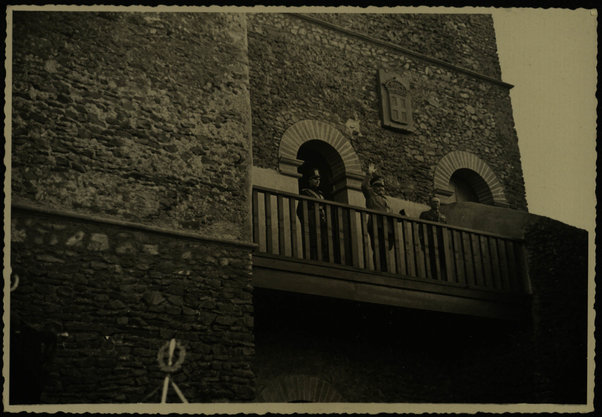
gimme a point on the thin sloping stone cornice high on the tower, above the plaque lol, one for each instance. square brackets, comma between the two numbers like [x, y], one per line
[403, 50]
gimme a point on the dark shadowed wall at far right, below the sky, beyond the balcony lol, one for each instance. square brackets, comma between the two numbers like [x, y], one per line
[559, 276]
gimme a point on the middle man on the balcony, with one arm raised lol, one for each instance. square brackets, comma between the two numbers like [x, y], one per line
[373, 188]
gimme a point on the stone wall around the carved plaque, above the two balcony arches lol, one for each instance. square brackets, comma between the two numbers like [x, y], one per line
[300, 70]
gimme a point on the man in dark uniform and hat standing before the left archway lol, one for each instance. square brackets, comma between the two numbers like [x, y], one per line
[311, 188]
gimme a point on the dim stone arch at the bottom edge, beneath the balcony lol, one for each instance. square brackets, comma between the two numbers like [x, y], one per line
[298, 388]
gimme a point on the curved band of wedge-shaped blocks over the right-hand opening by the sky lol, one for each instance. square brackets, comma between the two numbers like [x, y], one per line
[456, 160]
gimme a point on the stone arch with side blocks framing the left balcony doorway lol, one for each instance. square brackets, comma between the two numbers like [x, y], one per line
[306, 130]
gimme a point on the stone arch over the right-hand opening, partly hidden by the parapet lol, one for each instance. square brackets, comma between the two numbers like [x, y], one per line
[490, 190]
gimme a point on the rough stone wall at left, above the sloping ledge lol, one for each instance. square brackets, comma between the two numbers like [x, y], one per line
[144, 116]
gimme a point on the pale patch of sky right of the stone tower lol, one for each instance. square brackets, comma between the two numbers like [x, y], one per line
[549, 55]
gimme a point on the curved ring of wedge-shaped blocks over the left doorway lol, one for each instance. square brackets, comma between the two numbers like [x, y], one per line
[305, 130]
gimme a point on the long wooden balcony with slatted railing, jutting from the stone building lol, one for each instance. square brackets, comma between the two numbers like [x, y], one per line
[330, 249]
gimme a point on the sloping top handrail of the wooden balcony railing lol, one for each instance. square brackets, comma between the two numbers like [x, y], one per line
[381, 213]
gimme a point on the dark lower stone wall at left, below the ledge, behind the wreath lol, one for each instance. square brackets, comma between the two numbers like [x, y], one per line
[115, 295]
